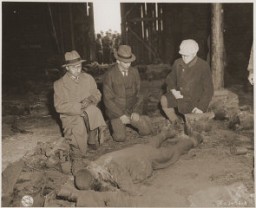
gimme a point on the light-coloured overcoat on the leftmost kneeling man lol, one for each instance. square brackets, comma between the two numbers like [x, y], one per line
[68, 94]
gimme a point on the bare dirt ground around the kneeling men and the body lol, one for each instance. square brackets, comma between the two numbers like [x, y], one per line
[208, 176]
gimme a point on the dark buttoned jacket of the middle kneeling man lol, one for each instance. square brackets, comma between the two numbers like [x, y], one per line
[121, 94]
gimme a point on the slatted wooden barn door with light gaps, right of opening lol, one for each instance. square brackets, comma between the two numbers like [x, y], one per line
[141, 28]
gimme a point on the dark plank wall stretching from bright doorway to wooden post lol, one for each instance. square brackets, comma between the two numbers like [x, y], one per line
[160, 27]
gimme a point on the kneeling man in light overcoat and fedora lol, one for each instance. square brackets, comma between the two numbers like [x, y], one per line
[76, 97]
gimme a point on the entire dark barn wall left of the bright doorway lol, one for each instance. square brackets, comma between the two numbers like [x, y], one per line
[36, 35]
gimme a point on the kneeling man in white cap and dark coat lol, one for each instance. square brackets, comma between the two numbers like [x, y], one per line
[189, 85]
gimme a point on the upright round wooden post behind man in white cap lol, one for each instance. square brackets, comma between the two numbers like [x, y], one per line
[217, 47]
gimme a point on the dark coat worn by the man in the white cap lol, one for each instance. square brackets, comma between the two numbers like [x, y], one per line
[194, 81]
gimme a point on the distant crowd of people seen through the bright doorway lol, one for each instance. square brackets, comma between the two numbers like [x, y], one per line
[106, 45]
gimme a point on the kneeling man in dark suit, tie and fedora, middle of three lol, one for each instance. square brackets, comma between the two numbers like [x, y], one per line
[121, 89]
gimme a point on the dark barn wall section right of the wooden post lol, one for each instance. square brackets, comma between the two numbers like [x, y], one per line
[238, 38]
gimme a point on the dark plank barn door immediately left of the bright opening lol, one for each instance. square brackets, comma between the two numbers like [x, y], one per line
[73, 23]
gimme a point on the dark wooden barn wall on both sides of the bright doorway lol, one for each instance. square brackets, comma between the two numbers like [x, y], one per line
[36, 35]
